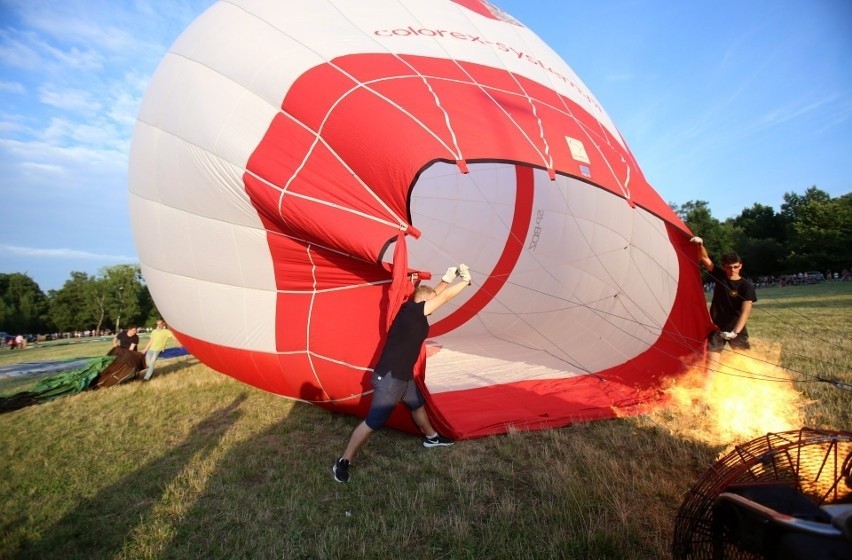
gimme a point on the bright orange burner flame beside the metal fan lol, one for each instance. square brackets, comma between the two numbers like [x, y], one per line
[741, 397]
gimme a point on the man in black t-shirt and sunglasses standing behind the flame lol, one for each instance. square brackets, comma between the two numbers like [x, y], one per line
[733, 298]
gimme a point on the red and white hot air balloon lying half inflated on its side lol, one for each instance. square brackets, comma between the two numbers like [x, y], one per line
[296, 165]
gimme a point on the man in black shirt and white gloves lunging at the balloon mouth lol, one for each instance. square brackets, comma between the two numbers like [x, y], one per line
[393, 376]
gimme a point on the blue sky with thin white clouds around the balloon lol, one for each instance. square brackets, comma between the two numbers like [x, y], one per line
[733, 102]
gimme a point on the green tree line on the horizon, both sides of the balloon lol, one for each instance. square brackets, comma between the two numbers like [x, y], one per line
[812, 231]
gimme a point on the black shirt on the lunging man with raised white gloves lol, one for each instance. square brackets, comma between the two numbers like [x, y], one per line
[407, 334]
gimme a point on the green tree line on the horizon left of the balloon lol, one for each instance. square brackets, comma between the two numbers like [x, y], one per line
[115, 296]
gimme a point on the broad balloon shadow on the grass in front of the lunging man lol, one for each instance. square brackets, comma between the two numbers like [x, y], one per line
[273, 496]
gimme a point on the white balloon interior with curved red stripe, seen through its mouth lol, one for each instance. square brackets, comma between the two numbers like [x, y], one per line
[552, 260]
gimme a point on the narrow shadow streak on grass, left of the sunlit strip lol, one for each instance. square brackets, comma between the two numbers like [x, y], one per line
[99, 526]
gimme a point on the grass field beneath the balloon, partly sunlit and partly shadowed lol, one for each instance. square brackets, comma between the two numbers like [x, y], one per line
[197, 465]
